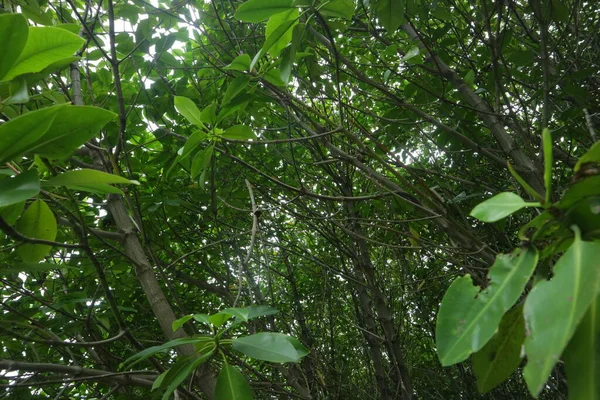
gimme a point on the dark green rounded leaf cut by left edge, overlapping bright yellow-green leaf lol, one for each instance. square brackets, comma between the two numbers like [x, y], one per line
[13, 36]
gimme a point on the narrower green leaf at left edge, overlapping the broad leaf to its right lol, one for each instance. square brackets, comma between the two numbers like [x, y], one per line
[20, 134]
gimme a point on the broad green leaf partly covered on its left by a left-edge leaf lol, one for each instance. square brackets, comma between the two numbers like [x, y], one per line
[72, 127]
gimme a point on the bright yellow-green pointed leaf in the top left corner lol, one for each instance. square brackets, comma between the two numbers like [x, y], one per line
[45, 46]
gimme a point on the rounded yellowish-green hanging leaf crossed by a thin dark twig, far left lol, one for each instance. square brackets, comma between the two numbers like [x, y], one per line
[37, 222]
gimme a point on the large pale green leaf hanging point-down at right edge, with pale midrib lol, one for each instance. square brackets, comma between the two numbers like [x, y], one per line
[553, 309]
